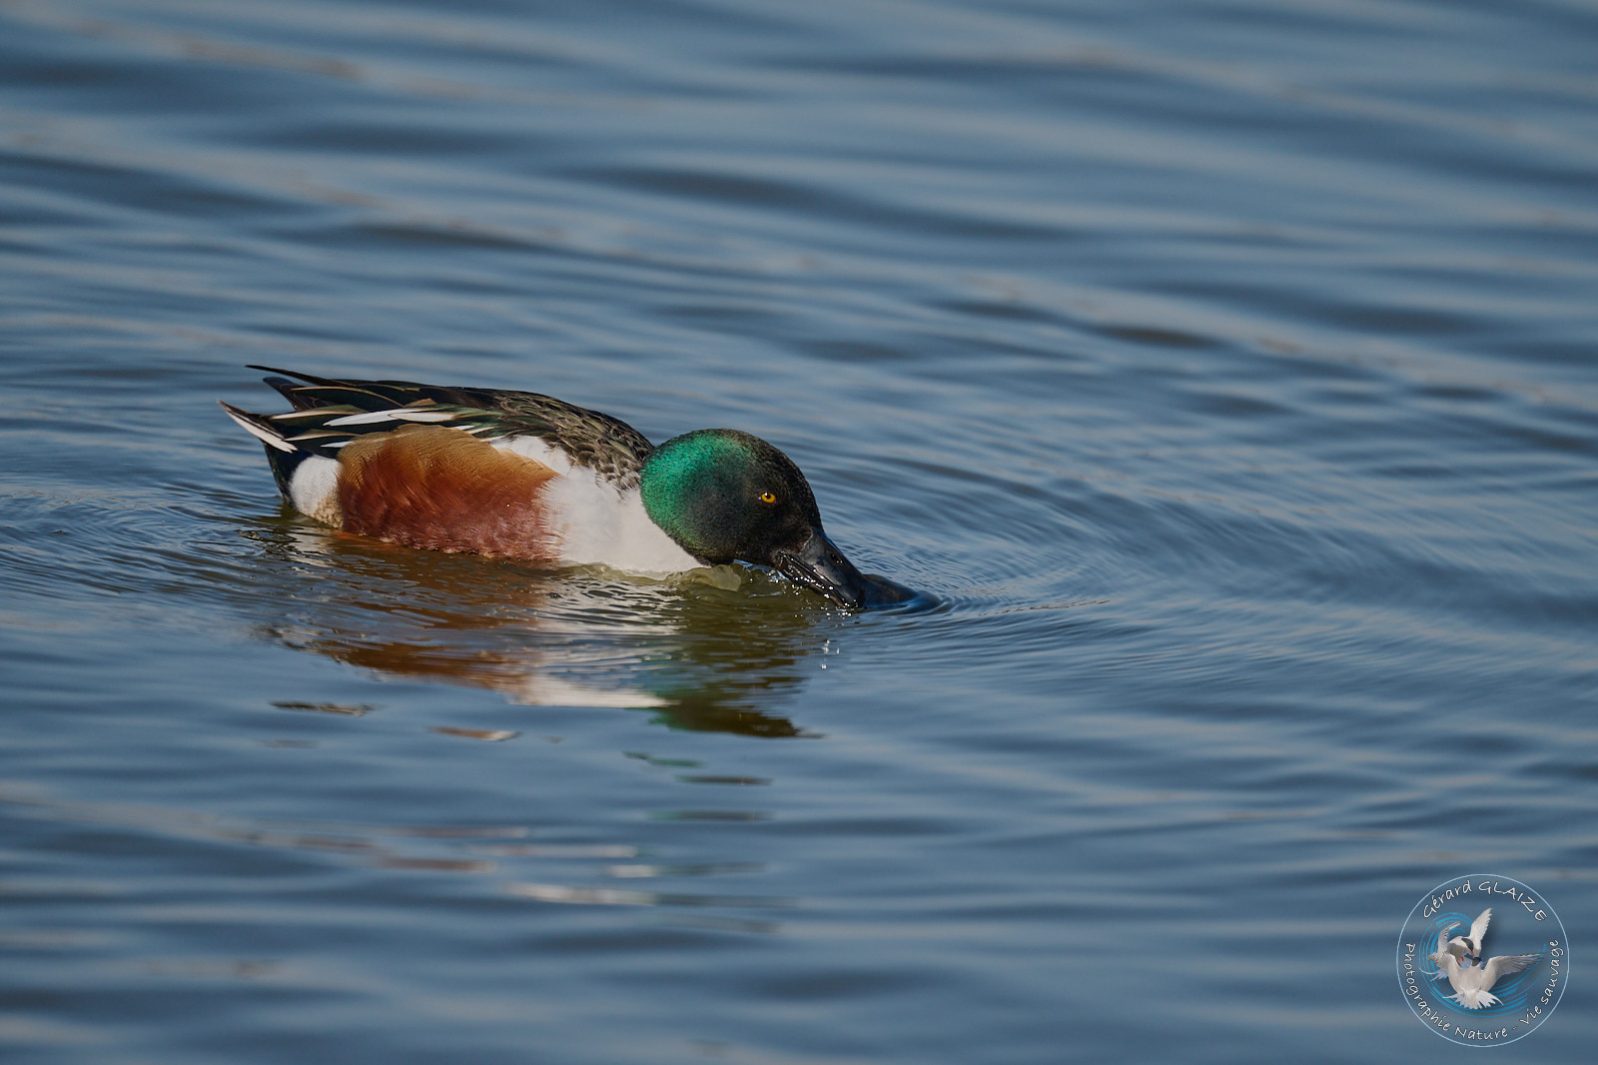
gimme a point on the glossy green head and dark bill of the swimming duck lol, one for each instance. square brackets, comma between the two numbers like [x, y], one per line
[728, 497]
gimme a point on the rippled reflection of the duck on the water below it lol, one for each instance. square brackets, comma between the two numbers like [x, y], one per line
[710, 652]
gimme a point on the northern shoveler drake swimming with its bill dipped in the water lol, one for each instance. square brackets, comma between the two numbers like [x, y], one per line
[525, 476]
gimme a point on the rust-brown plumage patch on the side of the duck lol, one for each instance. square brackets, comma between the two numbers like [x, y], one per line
[445, 490]
